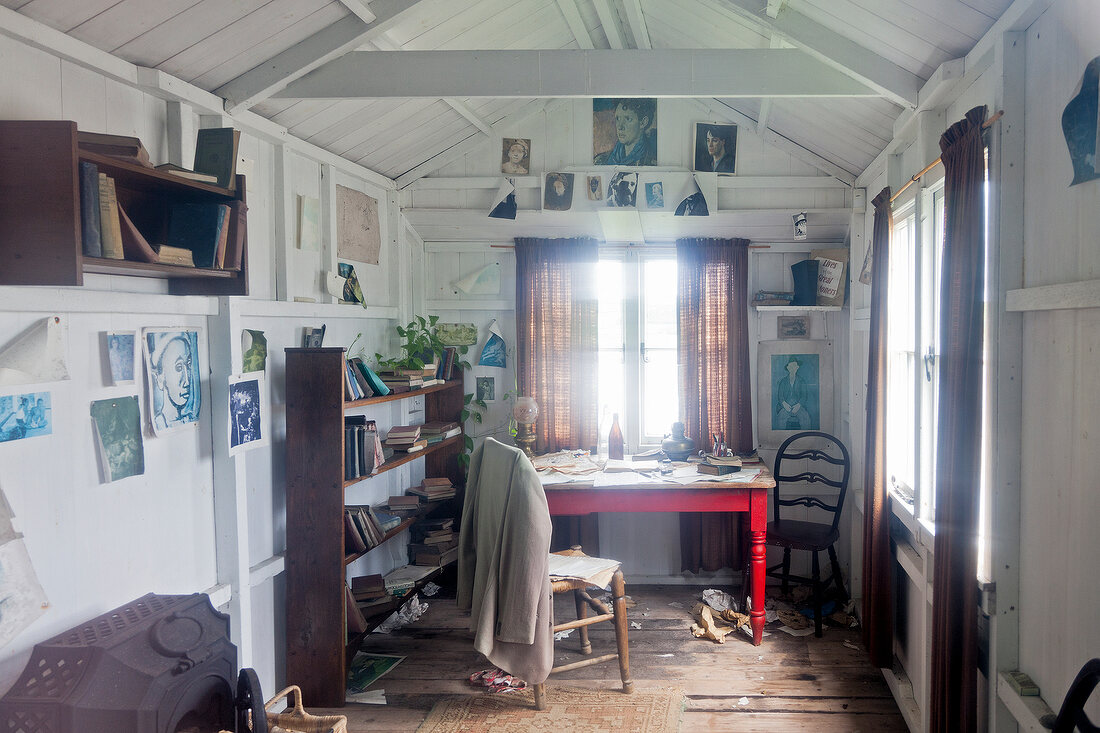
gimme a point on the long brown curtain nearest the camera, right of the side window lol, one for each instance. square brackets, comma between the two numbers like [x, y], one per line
[959, 435]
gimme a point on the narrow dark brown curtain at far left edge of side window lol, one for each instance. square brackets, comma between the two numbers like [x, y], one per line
[878, 565]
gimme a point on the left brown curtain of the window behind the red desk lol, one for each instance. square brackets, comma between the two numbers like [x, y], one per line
[556, 330]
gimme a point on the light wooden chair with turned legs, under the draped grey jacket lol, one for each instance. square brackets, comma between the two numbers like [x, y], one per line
[584, 601]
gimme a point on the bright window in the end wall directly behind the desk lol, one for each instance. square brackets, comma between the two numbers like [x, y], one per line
[639, 344]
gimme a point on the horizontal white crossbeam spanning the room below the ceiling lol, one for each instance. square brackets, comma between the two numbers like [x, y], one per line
[659, 73]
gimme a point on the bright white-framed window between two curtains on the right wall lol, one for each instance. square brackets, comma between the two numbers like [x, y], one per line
[914, 338]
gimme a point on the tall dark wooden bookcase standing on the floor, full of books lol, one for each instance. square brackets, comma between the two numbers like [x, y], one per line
[317, 561]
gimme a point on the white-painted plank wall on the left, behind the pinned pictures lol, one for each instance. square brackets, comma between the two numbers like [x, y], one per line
[197, 520]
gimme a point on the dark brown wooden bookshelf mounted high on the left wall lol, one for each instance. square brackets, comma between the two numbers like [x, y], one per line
[40, 204]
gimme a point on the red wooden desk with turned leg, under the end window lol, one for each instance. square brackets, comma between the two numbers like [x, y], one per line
[752, 498]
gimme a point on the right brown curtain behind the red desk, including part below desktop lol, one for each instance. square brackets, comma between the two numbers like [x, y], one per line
[714, 379]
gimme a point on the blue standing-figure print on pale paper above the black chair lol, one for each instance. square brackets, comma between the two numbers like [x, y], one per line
[795, 382]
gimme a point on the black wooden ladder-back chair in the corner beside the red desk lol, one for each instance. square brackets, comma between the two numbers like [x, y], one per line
[811, 537]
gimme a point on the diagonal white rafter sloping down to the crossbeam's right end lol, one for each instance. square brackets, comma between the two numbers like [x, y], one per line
[840, 52]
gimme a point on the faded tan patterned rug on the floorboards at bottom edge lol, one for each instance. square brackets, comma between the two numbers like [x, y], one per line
[568, 709]
